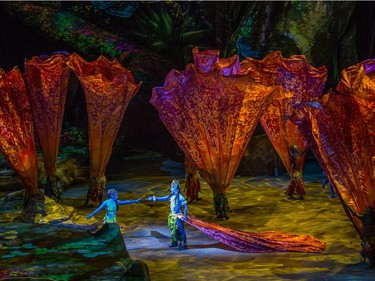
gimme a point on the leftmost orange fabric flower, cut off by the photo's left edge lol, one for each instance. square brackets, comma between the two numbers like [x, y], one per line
[17, 130]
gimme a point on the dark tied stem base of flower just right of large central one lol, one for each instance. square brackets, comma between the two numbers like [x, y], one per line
[296, 185]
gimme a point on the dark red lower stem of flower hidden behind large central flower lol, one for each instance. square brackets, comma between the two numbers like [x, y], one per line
[192, 181]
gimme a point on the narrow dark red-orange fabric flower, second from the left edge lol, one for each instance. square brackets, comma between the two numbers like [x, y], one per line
[47, 80]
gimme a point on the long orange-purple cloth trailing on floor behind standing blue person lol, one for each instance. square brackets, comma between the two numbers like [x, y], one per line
[252, 242]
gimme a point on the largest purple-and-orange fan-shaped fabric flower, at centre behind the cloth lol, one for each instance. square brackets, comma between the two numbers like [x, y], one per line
[211, 109]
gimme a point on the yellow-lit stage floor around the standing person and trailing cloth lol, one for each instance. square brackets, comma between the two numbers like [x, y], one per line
[258, 204]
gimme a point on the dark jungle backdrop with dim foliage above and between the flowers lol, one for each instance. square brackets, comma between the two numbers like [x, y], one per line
[152, 37]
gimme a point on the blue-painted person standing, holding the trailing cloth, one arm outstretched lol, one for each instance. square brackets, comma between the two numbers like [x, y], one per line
[175, 222]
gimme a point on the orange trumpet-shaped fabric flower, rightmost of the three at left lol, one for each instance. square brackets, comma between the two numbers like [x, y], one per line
[108, 88]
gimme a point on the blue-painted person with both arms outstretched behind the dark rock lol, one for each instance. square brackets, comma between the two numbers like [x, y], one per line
[111, 206]
